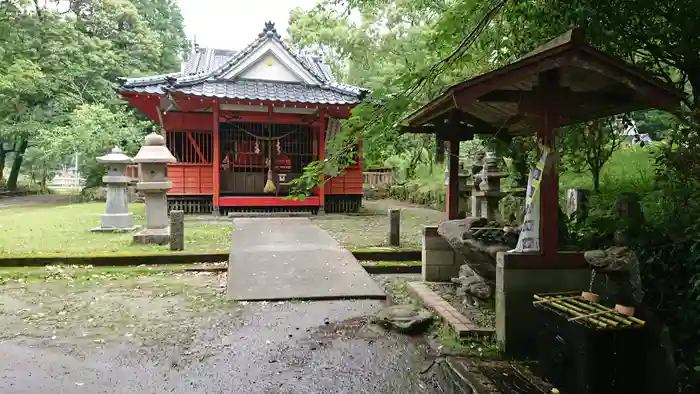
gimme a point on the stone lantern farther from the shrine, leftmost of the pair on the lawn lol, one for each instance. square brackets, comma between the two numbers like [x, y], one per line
[117, 217]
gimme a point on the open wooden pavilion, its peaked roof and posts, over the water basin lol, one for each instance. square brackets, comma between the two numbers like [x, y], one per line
[563, 82]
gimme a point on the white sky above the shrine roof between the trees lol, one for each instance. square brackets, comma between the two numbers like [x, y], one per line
[233, 24]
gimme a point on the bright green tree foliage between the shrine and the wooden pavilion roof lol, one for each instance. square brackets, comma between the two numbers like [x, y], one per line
[403, 51]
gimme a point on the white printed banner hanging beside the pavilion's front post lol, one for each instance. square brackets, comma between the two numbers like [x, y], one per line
[529, 239]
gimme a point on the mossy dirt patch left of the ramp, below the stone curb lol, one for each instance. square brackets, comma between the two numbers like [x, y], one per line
[124, 307]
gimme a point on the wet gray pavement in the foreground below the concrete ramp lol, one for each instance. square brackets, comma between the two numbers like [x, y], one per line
[291, 347]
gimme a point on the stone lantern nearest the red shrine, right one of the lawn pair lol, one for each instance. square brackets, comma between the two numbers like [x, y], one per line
[153, 159]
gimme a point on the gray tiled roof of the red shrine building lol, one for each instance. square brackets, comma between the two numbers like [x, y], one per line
[203, 70]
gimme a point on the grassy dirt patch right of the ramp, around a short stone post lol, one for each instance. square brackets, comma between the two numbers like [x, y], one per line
[371, 226]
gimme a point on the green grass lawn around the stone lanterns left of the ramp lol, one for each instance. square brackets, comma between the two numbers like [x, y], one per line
[66, 230]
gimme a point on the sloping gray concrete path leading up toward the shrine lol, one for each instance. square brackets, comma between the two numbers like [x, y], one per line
[293, 259]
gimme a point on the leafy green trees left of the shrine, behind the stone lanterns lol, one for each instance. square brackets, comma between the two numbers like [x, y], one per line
[62, 56]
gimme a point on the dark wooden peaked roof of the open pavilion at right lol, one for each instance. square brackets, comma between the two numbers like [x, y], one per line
[589, 84]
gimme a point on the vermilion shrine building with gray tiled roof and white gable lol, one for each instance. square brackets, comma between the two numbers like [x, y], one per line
[229, 115]
